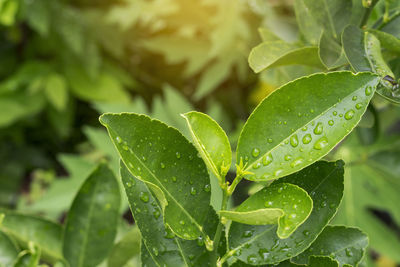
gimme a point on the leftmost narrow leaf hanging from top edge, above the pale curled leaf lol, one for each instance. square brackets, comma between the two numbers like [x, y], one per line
[307, 25]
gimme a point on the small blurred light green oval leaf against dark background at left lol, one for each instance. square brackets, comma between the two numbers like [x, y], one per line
[56, 91]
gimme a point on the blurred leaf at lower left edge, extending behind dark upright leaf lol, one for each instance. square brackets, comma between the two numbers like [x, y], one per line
[43, 233]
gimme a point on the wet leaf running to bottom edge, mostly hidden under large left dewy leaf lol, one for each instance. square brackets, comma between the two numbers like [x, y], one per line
[160, 242]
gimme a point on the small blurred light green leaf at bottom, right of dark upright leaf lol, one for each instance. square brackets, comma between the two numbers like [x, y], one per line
[127, 248]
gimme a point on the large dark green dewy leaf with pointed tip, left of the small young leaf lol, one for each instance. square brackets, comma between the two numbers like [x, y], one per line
[160, 156]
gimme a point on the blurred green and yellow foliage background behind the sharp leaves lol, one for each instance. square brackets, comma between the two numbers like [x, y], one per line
[65, 62]
